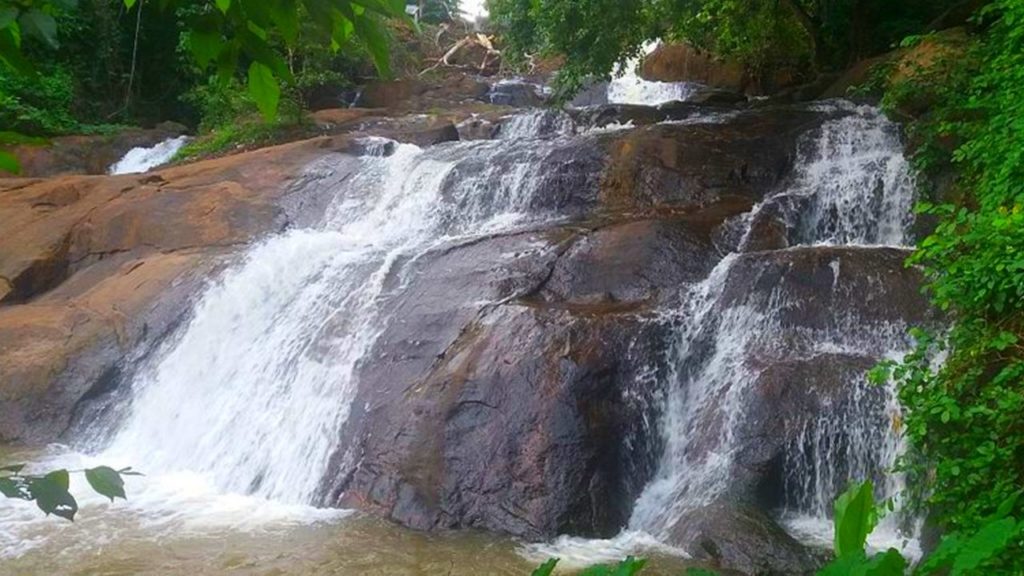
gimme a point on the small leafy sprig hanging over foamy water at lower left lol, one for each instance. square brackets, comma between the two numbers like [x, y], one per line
[52, 491]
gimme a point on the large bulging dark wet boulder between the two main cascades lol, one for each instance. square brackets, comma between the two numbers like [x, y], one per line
[460, 427]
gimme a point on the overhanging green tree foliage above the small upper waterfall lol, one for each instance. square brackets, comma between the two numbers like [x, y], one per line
[766, 36]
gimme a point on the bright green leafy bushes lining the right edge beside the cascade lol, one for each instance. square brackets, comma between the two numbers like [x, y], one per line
[963, 390]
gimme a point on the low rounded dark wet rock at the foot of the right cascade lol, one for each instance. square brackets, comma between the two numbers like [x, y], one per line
[743, 539]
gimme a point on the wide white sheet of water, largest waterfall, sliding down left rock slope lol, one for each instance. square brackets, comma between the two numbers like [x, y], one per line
[252, 394]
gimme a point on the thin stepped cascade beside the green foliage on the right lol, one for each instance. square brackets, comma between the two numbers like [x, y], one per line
[712, 381]
